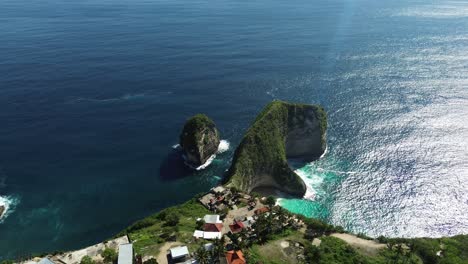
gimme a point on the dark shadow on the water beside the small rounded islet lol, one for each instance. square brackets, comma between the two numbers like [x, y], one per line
[173, 167]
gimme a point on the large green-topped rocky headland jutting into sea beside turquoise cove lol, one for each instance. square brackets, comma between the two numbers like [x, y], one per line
[281, 131]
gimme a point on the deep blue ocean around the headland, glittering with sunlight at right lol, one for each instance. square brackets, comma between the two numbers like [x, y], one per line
[94, 93]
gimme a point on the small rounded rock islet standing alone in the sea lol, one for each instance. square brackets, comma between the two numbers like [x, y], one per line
[199, 140]
